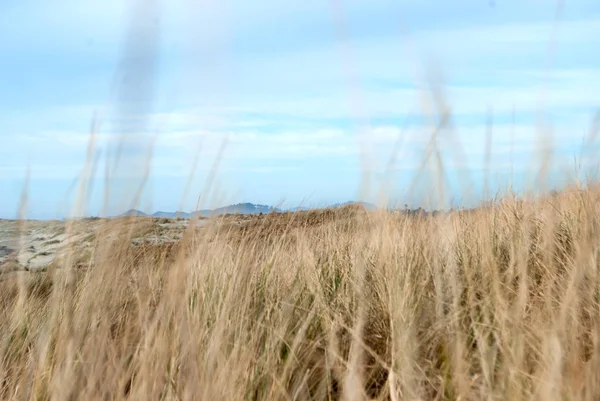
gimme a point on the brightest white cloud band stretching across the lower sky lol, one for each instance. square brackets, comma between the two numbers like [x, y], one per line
[174, 151]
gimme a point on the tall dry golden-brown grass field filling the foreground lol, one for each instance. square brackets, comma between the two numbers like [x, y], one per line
[497, 303]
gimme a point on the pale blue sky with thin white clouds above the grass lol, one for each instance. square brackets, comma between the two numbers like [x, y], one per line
[192, 104]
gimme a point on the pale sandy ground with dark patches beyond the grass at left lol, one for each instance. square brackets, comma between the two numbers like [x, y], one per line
[33, 245]
